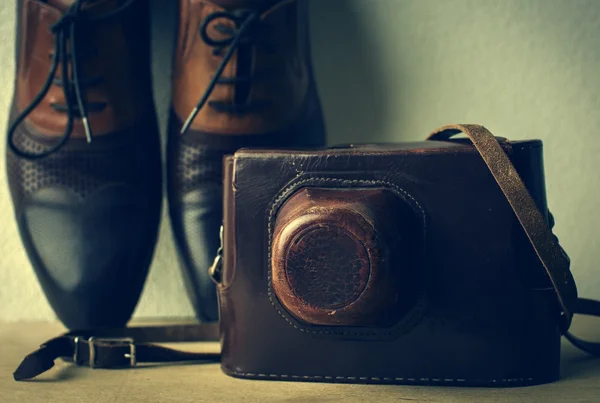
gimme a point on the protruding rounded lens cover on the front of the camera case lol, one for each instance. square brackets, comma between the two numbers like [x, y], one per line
[335, 258]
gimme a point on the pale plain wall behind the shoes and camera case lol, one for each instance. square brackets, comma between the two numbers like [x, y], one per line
[393, 70]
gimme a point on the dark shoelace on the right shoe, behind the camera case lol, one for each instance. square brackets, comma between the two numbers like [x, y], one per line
[247, 22]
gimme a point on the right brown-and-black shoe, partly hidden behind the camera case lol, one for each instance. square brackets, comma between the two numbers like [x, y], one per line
[242, 77]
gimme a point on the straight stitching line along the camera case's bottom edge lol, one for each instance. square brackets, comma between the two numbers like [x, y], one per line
[375, 378]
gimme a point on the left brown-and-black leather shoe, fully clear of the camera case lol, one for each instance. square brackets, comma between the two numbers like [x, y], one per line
[83, 155]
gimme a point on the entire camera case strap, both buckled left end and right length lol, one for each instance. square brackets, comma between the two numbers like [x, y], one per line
[126, 347]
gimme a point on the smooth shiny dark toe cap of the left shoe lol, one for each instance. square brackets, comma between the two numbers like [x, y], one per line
[91, 255]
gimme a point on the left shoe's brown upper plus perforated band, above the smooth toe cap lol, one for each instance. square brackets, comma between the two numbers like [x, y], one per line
[124, 152]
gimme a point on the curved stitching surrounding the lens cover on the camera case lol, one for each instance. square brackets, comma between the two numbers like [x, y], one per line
[397, 328]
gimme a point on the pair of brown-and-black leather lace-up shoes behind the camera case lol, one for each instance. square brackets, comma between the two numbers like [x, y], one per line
[84, 156]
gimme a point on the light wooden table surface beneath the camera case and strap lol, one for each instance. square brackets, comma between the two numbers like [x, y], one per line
[206, 383]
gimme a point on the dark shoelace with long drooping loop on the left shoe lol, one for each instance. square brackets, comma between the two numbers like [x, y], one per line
[65, 35]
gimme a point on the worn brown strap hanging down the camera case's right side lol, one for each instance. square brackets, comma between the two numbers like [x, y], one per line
[551, 254]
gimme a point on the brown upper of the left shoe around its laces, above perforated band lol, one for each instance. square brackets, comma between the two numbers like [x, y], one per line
[107, 53]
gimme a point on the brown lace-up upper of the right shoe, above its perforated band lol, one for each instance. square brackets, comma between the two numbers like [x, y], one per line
[279, 72]
